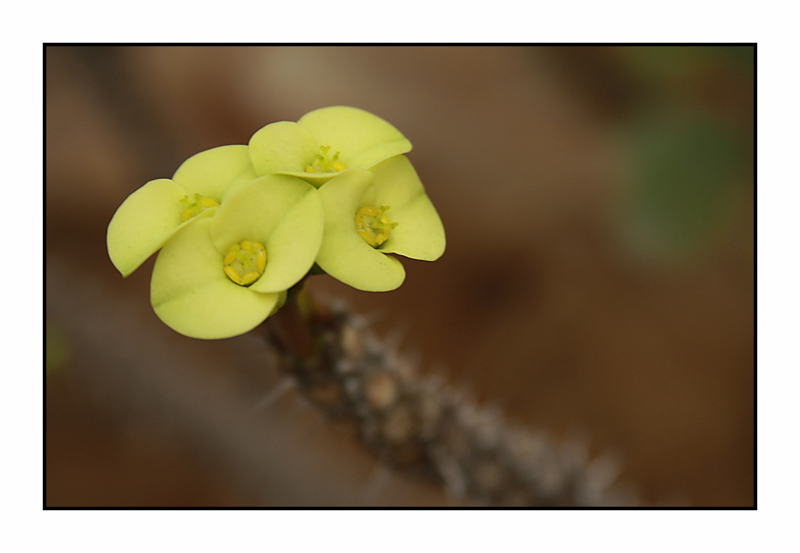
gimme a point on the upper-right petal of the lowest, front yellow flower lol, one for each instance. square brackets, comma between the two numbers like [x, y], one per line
[283, 213]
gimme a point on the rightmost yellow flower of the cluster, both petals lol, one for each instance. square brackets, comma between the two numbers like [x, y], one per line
[394, 186]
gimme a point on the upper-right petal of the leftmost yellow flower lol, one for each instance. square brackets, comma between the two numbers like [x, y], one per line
[216, 173]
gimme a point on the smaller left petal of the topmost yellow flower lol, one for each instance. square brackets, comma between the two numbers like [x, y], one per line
[282, 147]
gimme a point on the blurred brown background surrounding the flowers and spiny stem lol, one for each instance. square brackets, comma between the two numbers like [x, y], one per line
[598, 279]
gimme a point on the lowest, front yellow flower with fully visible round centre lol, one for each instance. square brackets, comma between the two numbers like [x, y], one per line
[191, 292]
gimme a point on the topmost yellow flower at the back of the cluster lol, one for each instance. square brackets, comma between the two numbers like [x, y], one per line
[324, 143]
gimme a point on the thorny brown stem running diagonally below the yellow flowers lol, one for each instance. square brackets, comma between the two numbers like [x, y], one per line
[419, 425]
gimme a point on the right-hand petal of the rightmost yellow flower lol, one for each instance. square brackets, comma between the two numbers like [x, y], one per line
[419, 233]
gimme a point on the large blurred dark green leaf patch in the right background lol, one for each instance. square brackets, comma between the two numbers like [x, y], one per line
[684, 174]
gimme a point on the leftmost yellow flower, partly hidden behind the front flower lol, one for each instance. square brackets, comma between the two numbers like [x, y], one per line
[155, 212]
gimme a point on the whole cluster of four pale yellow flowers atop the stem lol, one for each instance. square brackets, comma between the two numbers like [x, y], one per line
[238, 226]
